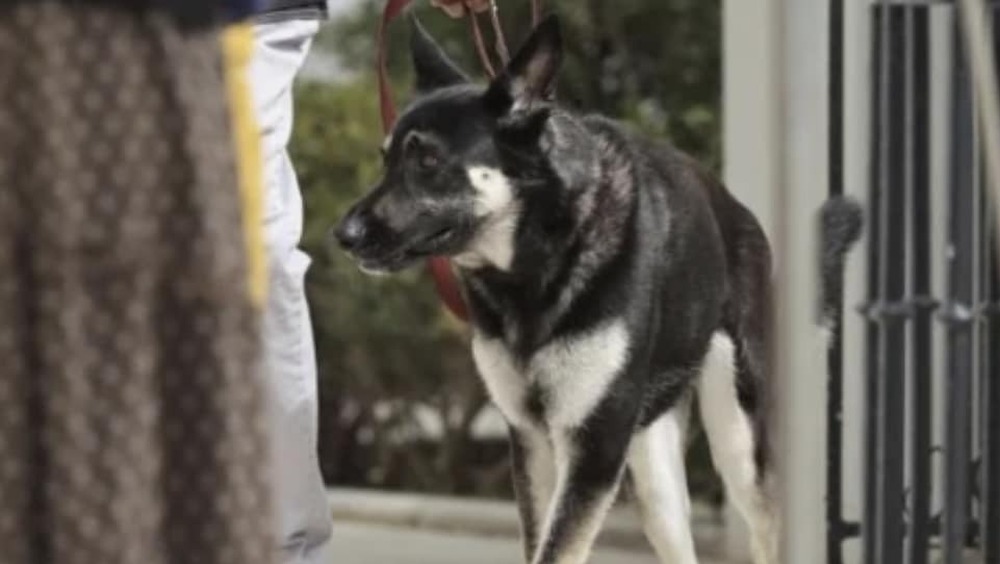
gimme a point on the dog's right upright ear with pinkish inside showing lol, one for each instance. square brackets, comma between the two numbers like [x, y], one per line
[531, 75]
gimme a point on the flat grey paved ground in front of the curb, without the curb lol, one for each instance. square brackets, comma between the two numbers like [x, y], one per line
[379, 544]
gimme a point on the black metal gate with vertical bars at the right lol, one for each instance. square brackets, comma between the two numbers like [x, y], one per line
[932, 355]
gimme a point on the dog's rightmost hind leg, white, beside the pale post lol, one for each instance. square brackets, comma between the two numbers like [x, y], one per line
[732, 443]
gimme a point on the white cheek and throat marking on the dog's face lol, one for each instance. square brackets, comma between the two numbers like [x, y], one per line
[496, 207]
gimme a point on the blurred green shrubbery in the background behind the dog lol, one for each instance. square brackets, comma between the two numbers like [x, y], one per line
[401, 405]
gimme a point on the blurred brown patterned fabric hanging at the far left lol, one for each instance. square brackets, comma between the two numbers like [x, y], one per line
[131, 426]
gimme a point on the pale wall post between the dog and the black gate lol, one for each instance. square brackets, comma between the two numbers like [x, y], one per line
[776, 160]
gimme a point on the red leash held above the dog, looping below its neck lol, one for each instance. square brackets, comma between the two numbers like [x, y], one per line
[440, 268]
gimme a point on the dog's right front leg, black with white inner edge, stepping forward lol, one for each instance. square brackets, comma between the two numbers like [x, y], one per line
[588, 473]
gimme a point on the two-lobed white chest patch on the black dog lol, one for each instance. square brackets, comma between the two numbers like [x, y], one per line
[573, 374]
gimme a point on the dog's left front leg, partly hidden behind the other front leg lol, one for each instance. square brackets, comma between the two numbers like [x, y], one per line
[533, 468]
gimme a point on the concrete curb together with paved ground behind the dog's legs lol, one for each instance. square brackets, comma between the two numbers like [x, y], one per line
[376, 527]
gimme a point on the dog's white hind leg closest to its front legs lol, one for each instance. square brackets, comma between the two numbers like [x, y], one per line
[656, 463]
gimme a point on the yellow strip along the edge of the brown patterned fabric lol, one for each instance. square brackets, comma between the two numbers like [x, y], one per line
[237, 43]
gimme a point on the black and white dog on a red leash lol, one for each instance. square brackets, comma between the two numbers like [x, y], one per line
[611, 281]
